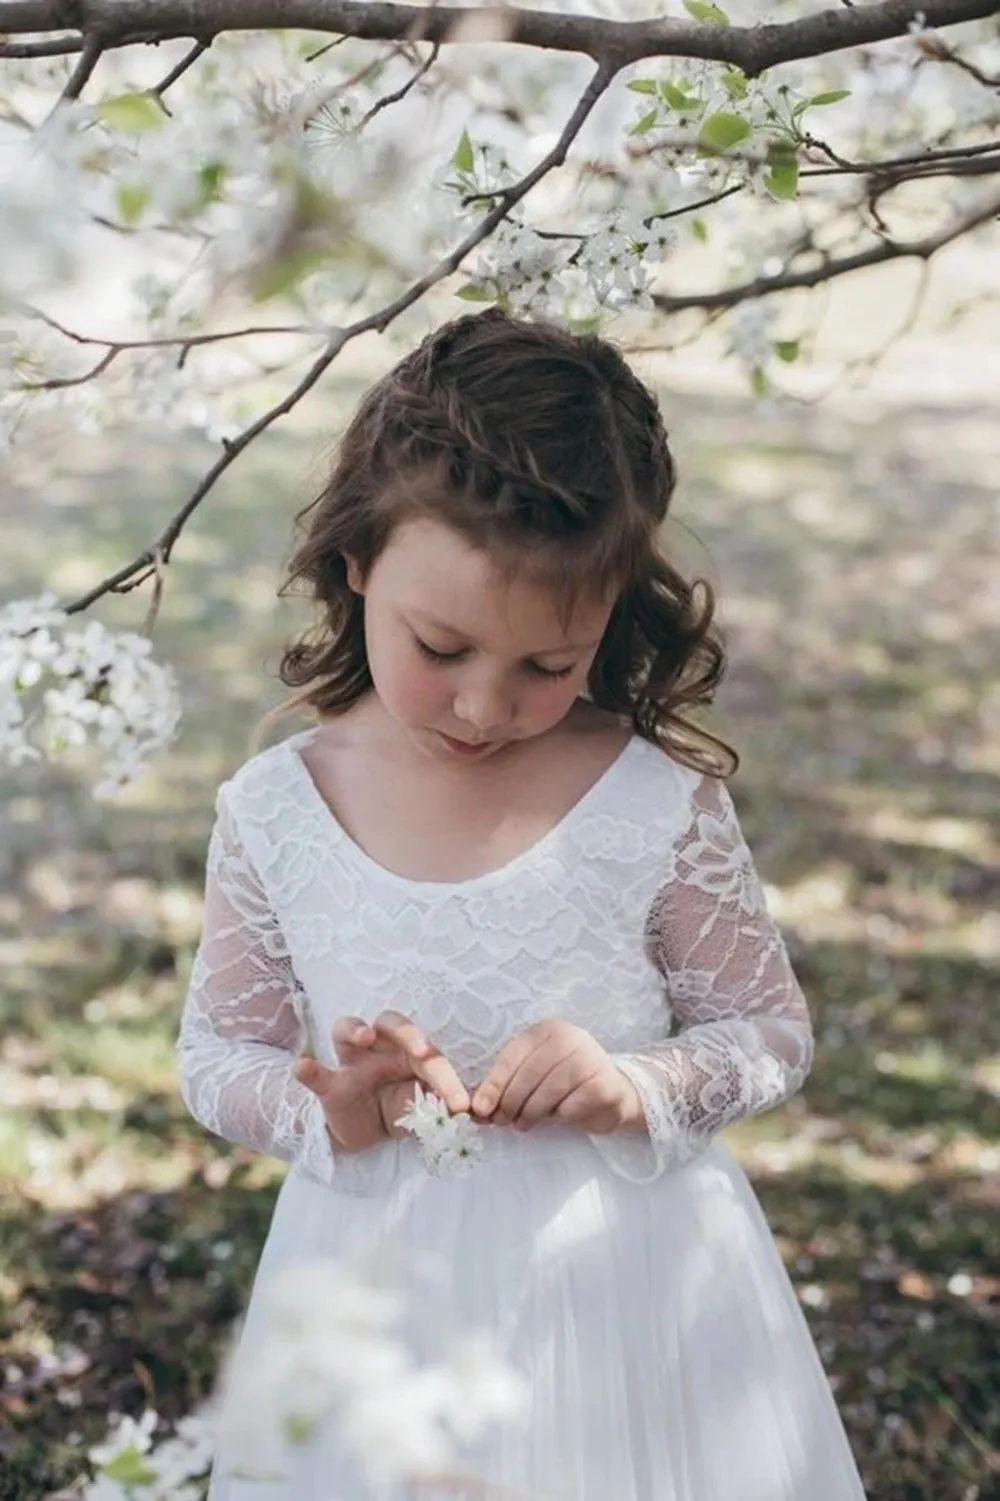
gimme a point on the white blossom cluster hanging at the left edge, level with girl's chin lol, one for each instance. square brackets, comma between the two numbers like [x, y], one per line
[65, 685]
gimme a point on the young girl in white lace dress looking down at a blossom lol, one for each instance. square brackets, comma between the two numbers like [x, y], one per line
[501, 867]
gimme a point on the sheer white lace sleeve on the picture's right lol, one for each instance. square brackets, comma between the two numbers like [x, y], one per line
[745, 1042]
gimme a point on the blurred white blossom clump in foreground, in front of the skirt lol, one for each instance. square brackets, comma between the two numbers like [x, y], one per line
[334, 1364]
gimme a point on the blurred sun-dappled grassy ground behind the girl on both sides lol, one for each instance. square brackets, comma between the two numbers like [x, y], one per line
[854, 559]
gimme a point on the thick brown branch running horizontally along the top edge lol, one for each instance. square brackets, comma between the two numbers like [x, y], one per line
[615, 43]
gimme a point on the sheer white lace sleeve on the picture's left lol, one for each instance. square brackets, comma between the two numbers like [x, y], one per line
[244, 1020]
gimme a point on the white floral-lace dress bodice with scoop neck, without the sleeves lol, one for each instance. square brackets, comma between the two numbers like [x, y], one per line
[558, 931]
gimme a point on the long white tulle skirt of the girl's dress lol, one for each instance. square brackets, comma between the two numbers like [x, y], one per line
[661, 1340]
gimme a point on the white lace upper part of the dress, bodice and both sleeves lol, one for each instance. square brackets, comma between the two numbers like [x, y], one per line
[640, 907]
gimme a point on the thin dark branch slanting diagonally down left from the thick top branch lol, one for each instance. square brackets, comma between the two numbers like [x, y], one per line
[376, 322]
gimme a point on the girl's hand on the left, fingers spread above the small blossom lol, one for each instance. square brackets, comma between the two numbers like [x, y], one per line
[379, 1066]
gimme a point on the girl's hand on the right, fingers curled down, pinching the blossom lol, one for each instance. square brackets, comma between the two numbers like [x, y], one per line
[556, 1069]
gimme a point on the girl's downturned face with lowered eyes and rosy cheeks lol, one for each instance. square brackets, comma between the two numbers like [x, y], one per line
[462, 661]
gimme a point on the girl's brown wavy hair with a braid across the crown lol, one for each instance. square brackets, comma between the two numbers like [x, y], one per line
[543, 450]
